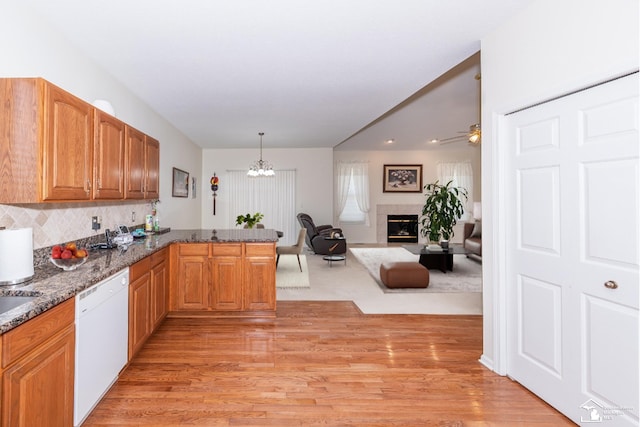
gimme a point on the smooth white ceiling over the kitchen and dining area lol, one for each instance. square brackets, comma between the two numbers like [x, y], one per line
[307, 74]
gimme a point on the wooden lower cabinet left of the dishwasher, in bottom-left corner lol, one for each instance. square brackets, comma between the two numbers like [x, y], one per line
[38, 363]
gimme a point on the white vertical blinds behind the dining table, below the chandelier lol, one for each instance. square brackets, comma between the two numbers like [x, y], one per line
[274, 197]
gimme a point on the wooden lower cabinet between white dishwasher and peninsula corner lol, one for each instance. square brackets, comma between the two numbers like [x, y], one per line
[148, 292]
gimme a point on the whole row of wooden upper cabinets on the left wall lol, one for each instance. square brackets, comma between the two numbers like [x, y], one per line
[57, 147]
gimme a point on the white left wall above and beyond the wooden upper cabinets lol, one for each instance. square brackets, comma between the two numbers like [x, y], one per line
[30, 48]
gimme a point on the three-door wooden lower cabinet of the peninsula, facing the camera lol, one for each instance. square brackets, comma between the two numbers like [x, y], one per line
[223, 278]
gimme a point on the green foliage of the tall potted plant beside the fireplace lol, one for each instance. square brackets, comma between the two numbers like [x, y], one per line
[442, 209]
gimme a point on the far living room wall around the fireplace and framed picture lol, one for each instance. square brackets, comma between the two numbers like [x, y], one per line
[427, 158]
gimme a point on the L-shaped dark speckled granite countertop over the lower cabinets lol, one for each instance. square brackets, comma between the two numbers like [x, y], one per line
[52, 285]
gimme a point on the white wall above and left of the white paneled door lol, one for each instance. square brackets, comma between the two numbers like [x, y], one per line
[551, 48]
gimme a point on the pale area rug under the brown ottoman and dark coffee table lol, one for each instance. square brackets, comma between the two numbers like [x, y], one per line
[465, 277]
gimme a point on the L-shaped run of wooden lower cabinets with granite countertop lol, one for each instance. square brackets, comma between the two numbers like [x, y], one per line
[180, 273]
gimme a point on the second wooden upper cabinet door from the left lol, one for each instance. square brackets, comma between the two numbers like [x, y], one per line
[108, 157]
